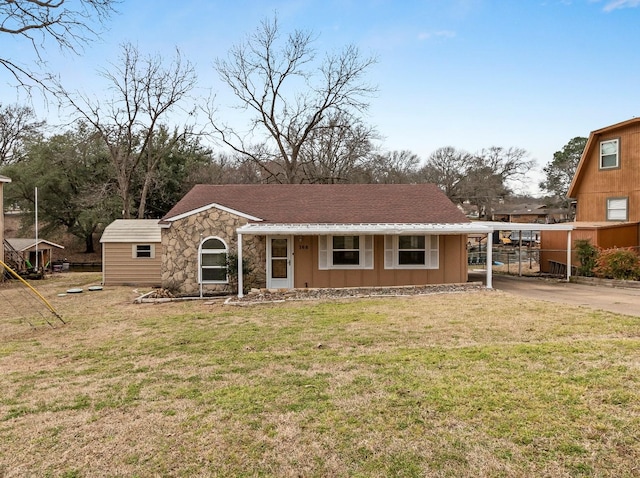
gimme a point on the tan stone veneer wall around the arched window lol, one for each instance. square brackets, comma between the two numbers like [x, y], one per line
[181, 241]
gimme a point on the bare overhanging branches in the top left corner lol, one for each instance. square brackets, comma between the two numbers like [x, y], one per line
[69, 24]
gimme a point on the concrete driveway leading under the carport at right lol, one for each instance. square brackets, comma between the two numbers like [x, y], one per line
[612, 299]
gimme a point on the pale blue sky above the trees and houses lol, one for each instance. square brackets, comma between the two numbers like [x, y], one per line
[464, 73]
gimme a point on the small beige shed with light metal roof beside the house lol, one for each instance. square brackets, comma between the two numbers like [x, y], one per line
[132, 253]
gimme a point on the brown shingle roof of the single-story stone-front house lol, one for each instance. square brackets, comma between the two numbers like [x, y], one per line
[327, 203]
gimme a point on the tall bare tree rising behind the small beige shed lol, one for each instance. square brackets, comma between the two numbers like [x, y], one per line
[145, 91]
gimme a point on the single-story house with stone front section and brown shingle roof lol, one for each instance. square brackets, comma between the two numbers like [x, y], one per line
[314, 236]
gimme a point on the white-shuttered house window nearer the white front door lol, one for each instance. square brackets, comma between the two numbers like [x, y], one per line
[345, 252]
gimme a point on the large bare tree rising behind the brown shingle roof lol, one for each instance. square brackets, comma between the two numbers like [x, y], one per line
[290, 96]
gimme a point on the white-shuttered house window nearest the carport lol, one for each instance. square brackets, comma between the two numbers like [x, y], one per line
[411, 252]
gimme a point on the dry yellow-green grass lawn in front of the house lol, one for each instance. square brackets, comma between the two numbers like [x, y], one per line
[474, 384]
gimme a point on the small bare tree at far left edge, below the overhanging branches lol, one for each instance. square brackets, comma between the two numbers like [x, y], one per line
[17, 124]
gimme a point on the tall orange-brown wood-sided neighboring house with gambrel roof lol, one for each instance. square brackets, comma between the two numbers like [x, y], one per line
[606, 188]
